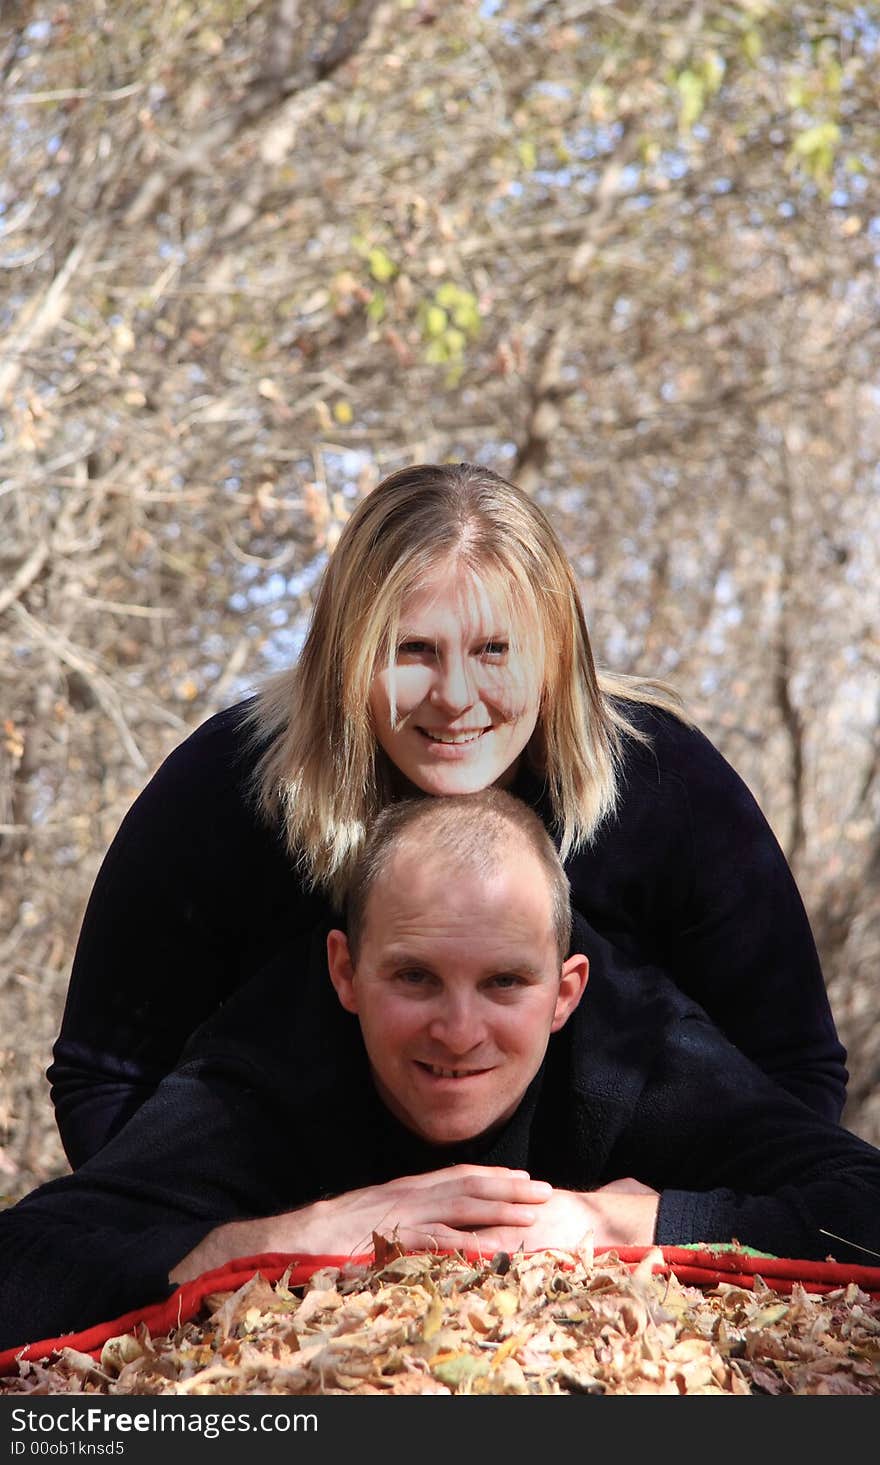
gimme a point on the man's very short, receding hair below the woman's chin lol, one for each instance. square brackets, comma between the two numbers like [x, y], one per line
[463, 830]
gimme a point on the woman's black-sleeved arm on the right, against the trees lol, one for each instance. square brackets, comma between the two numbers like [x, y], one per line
[689, 875]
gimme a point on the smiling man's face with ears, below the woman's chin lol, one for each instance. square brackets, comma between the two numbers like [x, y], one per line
[458, 988]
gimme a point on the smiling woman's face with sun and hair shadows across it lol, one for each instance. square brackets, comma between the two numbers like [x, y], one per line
[466, 702]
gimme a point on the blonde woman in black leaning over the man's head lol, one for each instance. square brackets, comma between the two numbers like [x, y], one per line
[447, 653]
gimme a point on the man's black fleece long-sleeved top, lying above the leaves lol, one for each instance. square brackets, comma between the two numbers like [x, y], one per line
[273, 1107]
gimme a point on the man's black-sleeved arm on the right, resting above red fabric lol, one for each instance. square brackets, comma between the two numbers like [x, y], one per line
[737, 1158]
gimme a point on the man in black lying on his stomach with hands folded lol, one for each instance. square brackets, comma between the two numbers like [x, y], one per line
[449, 1085]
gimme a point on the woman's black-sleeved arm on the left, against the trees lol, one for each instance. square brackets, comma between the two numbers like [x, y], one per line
[193, 899]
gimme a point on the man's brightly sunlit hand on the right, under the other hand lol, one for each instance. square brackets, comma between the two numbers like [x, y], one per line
[623, 1214]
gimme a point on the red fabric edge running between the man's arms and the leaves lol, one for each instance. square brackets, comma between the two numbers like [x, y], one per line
[695, 1268]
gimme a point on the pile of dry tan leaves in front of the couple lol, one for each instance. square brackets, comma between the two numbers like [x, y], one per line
[542, 1325]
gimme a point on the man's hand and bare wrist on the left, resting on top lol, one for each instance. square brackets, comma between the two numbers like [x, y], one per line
[463, 1208]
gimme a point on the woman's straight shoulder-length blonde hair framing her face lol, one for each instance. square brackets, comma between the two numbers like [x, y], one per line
[321, 771]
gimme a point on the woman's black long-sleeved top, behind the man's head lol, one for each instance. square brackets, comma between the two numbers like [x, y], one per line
[197, 894]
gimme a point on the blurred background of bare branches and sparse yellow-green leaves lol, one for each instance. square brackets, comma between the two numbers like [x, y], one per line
[257, 254]
